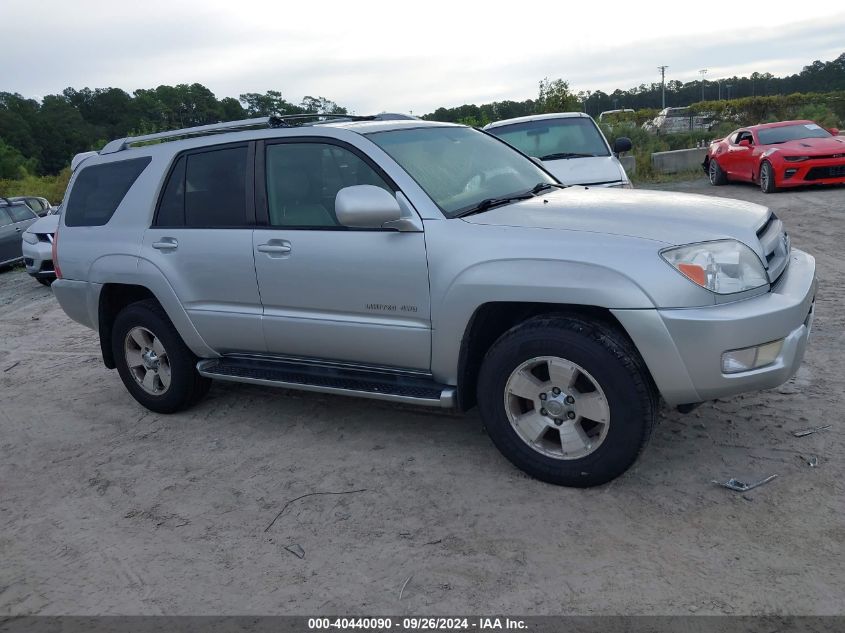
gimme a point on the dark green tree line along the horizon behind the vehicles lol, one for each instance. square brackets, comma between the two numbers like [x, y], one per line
[40, 137]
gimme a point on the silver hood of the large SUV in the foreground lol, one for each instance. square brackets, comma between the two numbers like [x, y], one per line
[672, 218]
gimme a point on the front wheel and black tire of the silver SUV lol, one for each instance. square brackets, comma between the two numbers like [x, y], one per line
[600, 365]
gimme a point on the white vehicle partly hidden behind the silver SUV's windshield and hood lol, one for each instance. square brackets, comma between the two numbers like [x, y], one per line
[570, 145]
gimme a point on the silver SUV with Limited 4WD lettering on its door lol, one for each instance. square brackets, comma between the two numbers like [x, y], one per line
[427, 263]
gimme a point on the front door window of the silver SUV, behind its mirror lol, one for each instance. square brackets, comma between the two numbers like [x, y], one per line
[303, 180]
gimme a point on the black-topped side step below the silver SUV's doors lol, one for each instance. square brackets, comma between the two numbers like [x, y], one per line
[325, 377]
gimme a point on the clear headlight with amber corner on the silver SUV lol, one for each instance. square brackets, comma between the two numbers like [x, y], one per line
[723, 267]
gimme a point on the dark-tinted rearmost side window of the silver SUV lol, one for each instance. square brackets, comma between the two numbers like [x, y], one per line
[99, 190]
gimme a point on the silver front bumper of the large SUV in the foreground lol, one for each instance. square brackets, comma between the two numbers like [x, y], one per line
[683, 347]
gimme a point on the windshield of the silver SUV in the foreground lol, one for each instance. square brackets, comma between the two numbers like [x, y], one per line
[459, 167]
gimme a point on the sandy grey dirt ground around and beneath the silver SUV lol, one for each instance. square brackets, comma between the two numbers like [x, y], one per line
[106, 508]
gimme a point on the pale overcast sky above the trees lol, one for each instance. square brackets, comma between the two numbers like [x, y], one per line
[374, 56]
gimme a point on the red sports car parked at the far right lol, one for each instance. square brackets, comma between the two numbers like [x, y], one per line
[774, 155]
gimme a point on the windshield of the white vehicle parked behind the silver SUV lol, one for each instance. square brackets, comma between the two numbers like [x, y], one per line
[549, 139]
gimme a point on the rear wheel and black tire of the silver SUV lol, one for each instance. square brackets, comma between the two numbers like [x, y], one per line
[170, 380]
